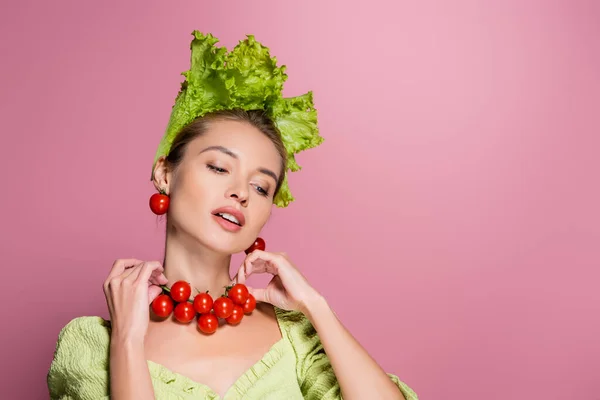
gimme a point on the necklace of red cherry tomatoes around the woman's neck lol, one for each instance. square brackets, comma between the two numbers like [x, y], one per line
[231, 306]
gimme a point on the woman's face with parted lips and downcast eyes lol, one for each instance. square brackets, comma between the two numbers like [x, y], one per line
[221, 195]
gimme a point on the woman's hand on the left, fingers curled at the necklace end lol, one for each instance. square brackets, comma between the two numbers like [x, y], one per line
[129, 289]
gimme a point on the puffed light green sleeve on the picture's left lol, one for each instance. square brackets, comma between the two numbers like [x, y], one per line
[81, 357]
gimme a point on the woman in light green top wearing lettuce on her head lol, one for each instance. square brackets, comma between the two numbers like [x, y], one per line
[220, 168]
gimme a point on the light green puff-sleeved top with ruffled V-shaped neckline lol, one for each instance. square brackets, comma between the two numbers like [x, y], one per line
[296, 367]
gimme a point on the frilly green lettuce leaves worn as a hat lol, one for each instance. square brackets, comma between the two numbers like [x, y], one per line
[247, 78]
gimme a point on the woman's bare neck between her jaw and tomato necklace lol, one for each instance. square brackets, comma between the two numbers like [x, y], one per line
[202, 268]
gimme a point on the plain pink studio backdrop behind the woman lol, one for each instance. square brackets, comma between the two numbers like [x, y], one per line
[451, 216]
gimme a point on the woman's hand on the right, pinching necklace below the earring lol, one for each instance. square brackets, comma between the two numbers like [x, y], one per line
[288, 289]
